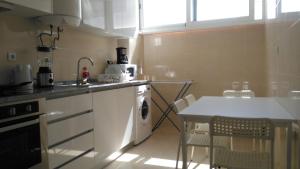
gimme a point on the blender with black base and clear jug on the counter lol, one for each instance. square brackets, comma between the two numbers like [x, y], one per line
[45, 76]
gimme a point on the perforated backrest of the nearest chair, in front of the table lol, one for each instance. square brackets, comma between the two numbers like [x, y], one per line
[239, 127]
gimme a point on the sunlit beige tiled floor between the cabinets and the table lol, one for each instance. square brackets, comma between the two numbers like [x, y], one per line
[158, 152]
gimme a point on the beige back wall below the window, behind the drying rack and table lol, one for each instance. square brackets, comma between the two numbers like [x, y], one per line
[212, 58]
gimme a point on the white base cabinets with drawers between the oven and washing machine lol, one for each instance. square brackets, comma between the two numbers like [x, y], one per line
[89, 130]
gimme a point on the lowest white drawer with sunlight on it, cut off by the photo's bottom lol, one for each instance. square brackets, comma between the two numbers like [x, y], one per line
[84, 162]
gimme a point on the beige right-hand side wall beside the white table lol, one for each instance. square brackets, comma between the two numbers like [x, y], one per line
[283, 58]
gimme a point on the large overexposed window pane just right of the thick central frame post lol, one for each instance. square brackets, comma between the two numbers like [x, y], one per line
[221, 9]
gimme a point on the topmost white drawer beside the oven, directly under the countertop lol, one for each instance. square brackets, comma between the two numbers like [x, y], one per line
[67, 106]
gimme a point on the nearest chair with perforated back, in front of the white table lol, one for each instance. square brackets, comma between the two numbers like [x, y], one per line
[261, 129]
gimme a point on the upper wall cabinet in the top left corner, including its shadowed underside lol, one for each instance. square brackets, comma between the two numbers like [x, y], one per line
[28, 8]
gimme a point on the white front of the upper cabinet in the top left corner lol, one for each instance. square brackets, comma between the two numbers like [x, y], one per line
[39, 5]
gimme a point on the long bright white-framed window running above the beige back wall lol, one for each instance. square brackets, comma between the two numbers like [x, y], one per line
[176, 15]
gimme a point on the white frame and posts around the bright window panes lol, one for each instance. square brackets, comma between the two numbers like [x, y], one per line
[192, 23]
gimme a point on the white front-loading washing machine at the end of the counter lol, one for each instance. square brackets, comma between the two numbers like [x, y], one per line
[143, 128]
